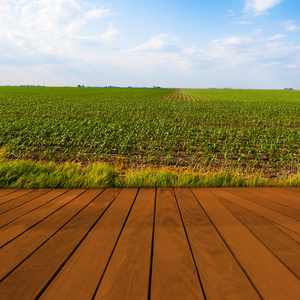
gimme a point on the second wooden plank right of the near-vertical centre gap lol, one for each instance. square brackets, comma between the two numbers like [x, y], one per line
[215, 263]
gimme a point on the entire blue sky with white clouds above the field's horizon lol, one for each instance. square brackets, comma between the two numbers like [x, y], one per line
[184, 44]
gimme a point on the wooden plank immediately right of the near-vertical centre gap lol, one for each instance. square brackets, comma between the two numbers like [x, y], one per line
[174, 275]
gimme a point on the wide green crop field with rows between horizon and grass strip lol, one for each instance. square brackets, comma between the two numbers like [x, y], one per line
[253, 130]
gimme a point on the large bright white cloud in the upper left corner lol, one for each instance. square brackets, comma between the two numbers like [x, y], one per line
[52, 27]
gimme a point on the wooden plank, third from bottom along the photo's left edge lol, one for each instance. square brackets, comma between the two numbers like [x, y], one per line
[19, 226]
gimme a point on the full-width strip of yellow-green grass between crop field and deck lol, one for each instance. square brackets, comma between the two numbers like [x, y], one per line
[31, 174]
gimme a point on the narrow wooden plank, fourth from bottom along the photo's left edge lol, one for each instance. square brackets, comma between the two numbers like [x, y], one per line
[29, 206]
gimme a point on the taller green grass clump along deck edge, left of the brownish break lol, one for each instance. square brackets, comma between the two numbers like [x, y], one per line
[50, 175]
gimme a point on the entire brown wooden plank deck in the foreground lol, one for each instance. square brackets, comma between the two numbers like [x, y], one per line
[229, 243]
